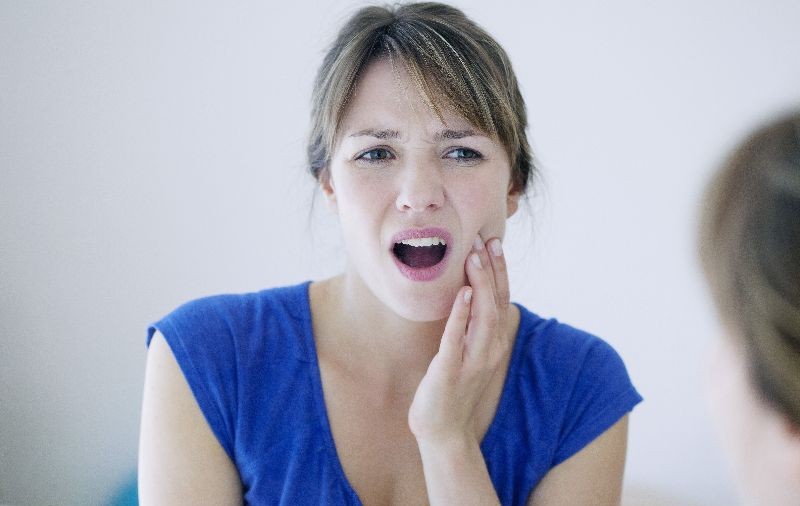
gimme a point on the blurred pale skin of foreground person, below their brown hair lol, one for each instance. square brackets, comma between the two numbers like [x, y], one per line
[763, 447]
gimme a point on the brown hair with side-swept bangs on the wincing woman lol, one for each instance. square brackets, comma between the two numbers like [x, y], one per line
[449, 58]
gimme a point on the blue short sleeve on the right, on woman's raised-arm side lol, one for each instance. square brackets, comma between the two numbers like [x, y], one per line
[602, 394]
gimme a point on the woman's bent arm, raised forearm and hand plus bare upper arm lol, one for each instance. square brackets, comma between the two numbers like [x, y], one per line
[445, 403]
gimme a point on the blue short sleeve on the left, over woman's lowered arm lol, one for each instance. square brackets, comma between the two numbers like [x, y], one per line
[200, 337]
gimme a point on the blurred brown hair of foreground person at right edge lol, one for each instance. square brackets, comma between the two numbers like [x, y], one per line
[750, 251]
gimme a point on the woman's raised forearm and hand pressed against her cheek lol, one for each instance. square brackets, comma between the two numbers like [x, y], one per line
[442, 414]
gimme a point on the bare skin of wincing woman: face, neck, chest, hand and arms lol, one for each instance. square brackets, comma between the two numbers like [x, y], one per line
[412, 371]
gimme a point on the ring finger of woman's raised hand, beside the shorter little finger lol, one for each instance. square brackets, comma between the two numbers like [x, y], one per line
[482, 326]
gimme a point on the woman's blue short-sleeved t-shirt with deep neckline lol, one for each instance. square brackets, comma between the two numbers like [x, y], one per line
[251, 362]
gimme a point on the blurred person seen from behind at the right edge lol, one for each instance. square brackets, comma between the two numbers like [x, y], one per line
[750, 250]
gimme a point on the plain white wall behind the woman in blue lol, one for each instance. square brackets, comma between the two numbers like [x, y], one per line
[152, 152]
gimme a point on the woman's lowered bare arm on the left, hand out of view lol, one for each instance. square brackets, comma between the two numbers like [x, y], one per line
[180, 459]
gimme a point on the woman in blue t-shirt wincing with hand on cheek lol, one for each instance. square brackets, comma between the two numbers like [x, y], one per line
[409, 378]
